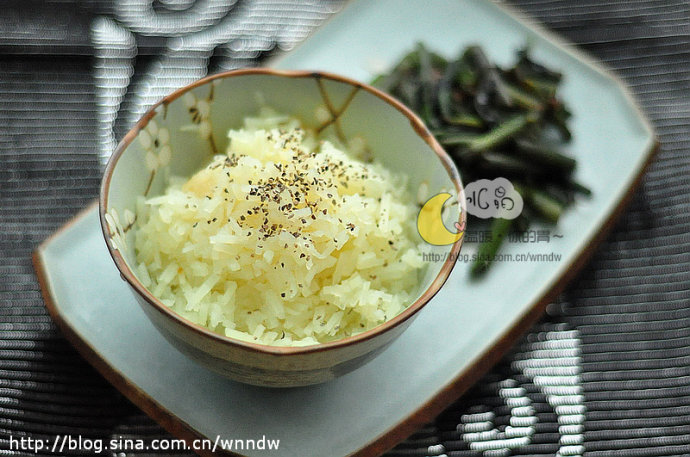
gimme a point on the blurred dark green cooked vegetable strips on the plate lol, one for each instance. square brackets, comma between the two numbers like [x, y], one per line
[494, 122]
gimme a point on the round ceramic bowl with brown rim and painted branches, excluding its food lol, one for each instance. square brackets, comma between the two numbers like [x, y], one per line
[162, 144]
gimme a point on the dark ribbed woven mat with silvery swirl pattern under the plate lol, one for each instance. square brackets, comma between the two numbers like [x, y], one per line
[606, 373]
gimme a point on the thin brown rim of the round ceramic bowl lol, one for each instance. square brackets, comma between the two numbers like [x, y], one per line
[416, 123]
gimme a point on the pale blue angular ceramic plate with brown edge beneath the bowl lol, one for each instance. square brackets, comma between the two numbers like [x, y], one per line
[456, 337]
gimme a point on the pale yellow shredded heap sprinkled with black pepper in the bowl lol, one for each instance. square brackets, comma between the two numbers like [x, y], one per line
[286, 240]
